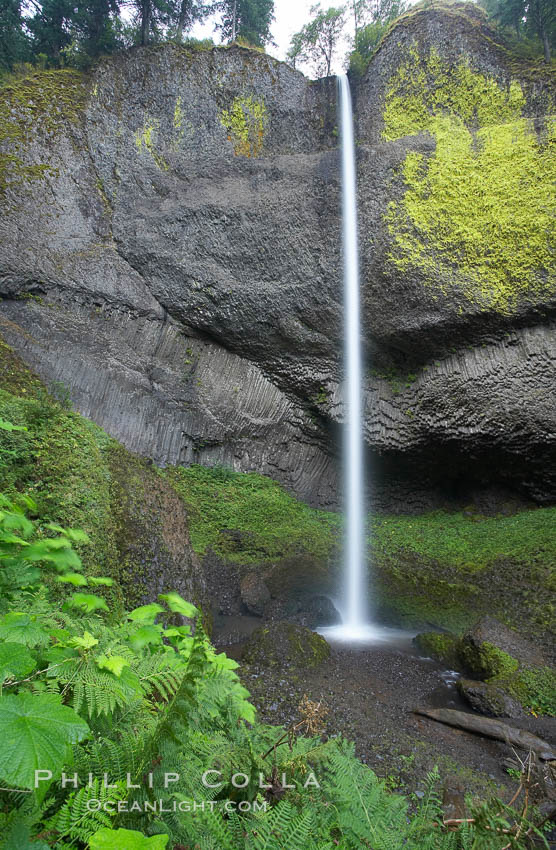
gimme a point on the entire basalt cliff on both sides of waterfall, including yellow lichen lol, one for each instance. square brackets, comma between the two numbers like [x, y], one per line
[171, 253]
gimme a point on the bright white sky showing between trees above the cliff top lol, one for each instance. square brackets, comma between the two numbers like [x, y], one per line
[289, 17]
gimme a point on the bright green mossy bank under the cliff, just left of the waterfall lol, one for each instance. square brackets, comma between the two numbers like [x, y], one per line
[275, 523]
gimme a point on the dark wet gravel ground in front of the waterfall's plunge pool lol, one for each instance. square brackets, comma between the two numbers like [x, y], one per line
[370, 693]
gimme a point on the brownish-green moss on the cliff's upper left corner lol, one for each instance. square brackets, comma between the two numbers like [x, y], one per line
[40, 102]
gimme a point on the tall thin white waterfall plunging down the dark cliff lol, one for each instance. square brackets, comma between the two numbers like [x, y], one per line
[353, 462]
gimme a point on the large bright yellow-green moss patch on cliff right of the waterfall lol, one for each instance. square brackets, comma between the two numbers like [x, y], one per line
[478, 214]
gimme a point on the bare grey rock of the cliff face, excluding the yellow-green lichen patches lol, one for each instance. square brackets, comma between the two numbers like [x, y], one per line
[192, 295]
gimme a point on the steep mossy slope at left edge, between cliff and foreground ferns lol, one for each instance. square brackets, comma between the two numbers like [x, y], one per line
[79, 477]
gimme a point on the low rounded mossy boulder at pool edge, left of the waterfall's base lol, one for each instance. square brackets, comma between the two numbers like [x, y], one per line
[285, 645]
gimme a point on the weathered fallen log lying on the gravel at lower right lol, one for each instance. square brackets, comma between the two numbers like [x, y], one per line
[490, 728]
